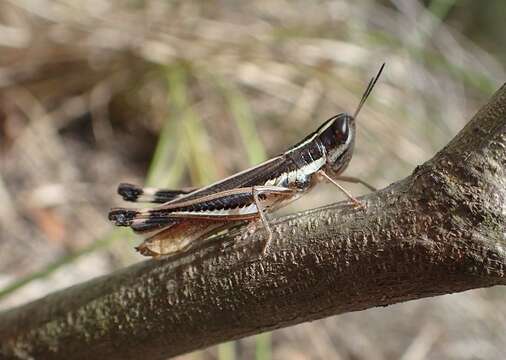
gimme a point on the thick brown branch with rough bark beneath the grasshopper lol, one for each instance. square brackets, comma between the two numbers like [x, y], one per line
[441, 230]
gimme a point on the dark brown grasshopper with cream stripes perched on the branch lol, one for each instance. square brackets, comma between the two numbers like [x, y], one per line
[184, 216]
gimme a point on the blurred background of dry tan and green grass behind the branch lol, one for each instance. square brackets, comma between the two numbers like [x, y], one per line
[181, 93]
